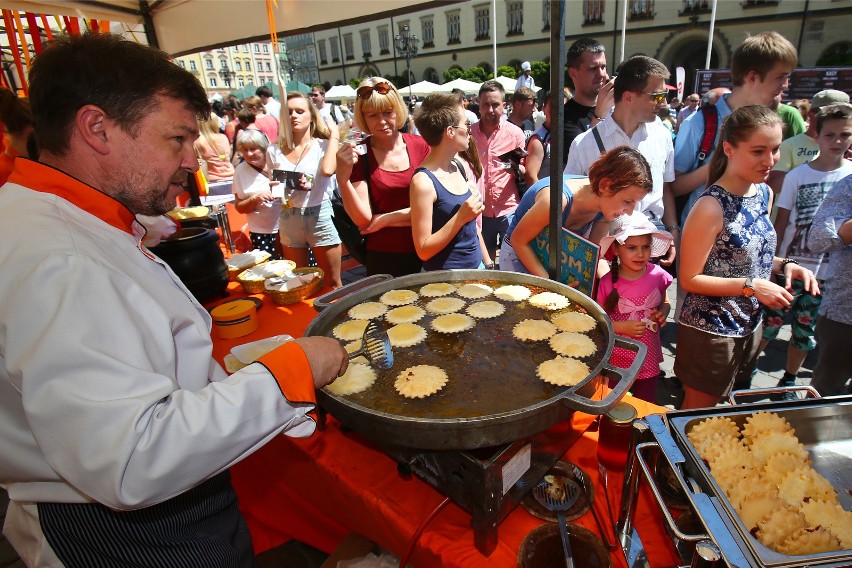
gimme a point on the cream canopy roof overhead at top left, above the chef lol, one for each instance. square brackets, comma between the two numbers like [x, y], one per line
[188, 26]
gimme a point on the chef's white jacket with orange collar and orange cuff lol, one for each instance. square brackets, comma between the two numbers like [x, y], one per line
[108, 391]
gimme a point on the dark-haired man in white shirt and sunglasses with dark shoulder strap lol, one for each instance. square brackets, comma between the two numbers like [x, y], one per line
[640, 90]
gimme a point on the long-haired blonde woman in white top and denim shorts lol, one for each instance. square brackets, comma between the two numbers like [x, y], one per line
[306, 222]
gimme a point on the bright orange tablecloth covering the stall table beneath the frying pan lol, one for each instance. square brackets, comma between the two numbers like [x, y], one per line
[319, 489]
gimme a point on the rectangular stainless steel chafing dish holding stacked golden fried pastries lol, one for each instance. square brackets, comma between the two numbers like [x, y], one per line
[823, 426]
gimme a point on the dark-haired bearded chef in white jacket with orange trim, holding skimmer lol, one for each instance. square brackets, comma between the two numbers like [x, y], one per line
[117, 427]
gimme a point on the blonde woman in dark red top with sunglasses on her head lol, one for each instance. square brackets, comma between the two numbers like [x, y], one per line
[374, 186]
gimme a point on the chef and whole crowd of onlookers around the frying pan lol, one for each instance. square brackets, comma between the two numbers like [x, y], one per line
[471, 191]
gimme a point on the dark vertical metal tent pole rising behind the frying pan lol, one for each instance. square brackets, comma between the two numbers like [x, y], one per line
[557, 136]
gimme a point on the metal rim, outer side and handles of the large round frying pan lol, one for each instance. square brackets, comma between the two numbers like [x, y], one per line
[485, 429]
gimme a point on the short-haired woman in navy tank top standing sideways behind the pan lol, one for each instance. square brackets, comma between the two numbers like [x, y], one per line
[444, 205]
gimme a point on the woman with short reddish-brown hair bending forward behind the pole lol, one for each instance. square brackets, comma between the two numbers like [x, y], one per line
[617, 181]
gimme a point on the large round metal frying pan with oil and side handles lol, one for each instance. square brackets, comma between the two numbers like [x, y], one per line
[472, 427]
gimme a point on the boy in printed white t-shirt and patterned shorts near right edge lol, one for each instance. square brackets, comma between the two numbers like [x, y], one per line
[804, 189]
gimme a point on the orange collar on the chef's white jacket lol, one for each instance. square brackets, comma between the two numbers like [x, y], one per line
[43, 178]
